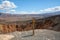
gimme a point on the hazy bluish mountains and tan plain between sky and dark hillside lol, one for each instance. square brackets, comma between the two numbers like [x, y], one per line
[5, 17]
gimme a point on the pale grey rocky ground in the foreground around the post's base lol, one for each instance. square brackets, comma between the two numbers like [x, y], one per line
[41, 34]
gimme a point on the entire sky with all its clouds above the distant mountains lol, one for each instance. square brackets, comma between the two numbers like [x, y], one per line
[29, 6]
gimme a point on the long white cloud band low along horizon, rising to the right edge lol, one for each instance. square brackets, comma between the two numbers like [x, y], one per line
[48, 10]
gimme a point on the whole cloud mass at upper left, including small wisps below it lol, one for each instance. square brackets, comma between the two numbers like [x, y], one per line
[7, 6]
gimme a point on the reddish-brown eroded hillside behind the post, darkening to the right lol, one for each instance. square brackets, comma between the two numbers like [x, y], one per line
[51, 23]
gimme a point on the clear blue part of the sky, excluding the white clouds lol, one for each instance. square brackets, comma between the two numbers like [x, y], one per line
[35, 6]
